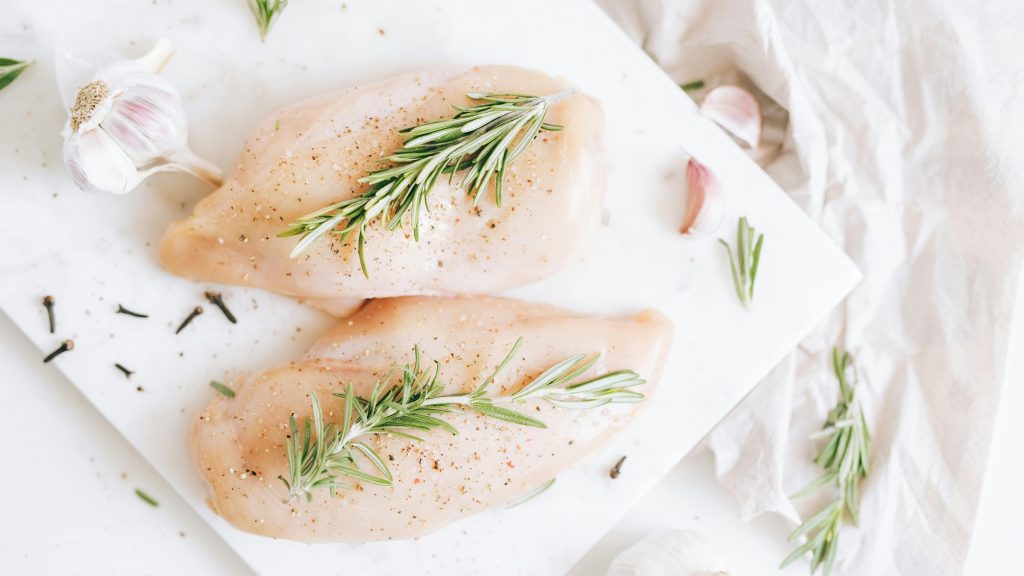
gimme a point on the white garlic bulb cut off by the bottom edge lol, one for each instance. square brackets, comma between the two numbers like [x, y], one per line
[673, 553]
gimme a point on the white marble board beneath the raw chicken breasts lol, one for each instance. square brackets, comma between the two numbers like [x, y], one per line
[94, 253]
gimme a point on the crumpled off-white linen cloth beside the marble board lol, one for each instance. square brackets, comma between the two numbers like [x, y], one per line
[903, 143]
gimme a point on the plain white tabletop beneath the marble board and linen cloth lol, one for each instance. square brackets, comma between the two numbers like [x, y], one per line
[75, 512]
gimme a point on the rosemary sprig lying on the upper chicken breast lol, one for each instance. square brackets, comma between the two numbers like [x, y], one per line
[482, 140]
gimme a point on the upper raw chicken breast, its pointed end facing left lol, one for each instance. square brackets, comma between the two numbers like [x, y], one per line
[311, 155]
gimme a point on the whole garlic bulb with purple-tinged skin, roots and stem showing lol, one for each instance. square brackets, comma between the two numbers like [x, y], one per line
[129, 124]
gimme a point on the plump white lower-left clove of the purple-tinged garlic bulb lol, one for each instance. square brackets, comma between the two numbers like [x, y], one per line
[97, 163]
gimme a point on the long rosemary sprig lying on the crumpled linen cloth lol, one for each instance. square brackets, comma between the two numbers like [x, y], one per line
[845, 461]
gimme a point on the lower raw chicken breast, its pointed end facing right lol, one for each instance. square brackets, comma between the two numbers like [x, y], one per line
[238, 444]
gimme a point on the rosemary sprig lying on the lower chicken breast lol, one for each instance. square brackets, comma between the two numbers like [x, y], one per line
[321, 454]
